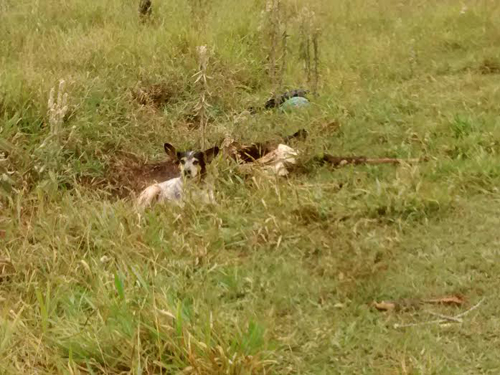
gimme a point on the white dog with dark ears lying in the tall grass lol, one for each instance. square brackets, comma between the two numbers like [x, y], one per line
[192, 165]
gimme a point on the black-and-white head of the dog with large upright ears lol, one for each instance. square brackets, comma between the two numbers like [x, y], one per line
[192, 163]
